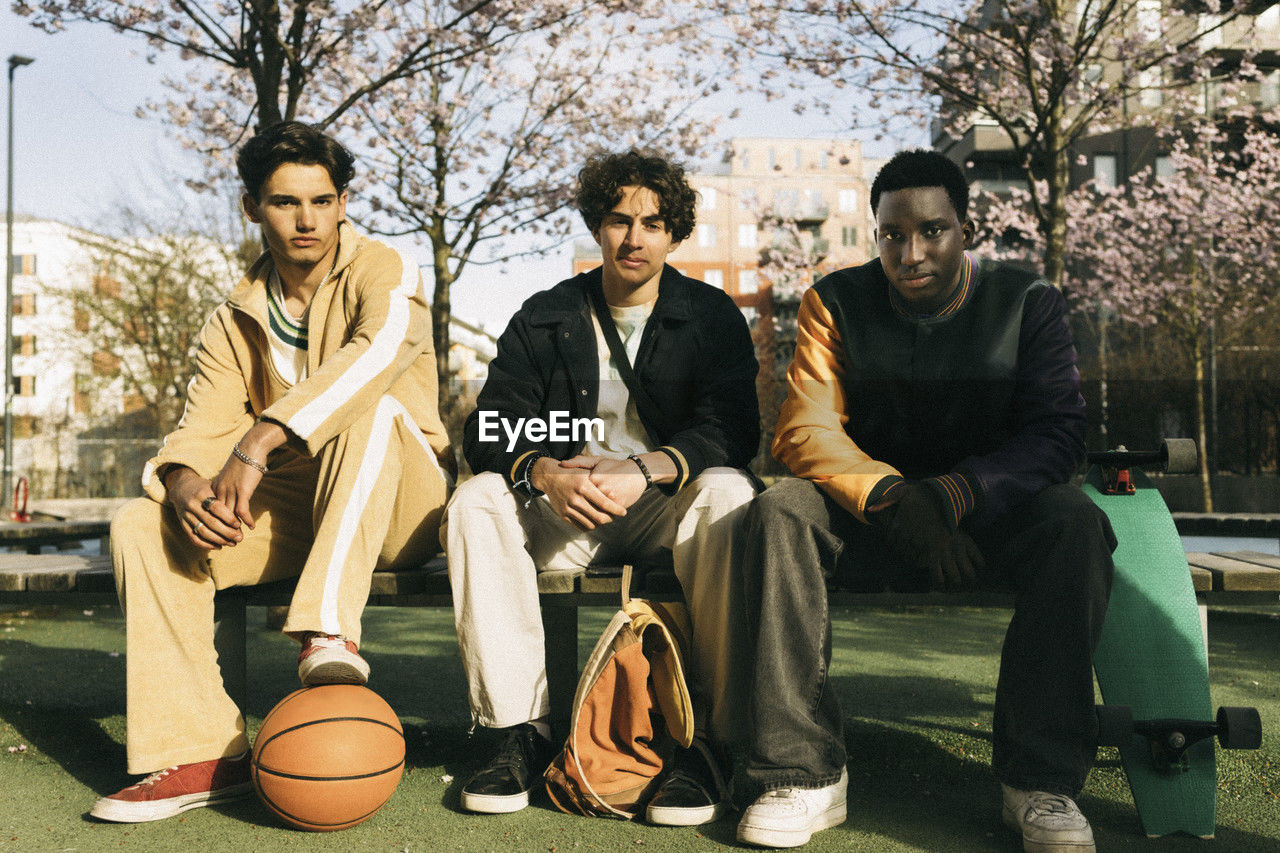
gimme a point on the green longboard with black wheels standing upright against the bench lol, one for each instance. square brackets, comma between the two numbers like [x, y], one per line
[1151, 662]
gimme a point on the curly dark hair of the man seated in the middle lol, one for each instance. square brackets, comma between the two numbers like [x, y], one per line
[600, 189]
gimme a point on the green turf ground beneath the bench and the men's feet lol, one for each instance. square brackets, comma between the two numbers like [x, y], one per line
[917, 686]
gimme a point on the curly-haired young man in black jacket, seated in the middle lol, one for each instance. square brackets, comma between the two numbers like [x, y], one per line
[659, 476]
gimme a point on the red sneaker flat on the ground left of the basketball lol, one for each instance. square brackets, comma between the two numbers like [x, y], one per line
[176, 790]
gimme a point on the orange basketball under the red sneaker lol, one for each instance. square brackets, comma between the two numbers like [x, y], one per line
[328, 758]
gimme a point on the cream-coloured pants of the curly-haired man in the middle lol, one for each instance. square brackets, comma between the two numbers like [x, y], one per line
[497, 546]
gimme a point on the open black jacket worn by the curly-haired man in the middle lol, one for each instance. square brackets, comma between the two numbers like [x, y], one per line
[696, 361]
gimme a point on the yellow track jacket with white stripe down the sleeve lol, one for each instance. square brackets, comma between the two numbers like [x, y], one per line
[369, 336]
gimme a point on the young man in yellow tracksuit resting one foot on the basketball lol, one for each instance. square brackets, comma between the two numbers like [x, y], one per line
[312, 446]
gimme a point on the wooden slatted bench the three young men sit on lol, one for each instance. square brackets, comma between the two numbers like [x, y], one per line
[1242, 577]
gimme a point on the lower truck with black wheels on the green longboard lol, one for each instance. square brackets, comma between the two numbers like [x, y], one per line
[1169, 740]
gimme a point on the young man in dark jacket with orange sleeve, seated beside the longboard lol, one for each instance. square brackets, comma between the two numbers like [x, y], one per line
[934, 419]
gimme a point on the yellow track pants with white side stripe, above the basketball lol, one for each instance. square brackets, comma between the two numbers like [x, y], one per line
[373, 498]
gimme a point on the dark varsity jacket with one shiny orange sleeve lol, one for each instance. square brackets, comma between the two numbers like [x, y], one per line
[981, 400]
